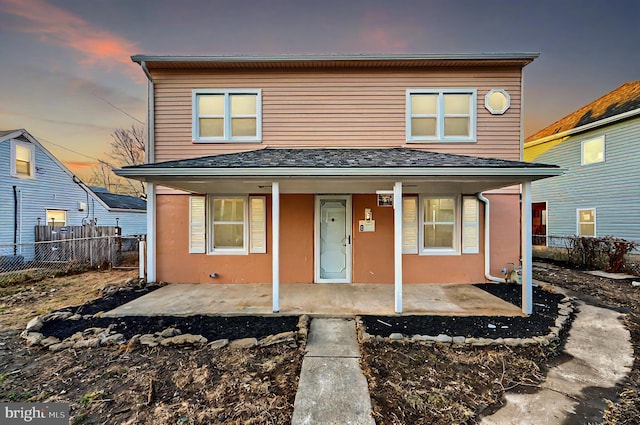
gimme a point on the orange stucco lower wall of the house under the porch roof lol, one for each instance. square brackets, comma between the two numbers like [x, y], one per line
[372, 259]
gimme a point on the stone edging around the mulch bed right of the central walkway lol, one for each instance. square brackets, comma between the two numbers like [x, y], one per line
[565, 310]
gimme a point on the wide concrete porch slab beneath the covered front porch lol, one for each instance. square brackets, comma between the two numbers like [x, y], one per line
[333, 300]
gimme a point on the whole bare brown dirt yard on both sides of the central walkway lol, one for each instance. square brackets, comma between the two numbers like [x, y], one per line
[410, 384]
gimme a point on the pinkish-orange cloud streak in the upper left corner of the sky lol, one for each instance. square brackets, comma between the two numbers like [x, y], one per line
[56, 26]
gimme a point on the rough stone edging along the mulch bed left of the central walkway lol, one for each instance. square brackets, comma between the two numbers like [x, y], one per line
[100, 337]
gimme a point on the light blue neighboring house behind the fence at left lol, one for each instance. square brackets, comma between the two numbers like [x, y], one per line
[35, 187]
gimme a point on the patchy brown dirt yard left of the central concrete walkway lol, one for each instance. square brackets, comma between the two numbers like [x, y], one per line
[141, 385]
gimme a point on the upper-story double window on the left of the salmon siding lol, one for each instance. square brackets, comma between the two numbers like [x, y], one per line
[227, 115]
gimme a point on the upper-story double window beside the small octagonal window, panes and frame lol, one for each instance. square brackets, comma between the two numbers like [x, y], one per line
[444, 115]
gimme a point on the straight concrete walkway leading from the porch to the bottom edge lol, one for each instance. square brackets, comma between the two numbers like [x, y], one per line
[332, 388]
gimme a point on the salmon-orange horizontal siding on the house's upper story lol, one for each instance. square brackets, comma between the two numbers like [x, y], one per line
[351, 108]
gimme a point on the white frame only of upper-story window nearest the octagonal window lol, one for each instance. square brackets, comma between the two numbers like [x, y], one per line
[439, 137]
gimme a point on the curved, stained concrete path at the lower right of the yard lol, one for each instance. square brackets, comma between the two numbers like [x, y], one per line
[598, 355]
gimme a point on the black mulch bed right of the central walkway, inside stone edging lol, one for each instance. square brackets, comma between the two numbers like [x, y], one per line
[545, 310]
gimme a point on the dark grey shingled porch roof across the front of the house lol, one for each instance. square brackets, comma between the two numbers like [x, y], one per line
[339, 158]
